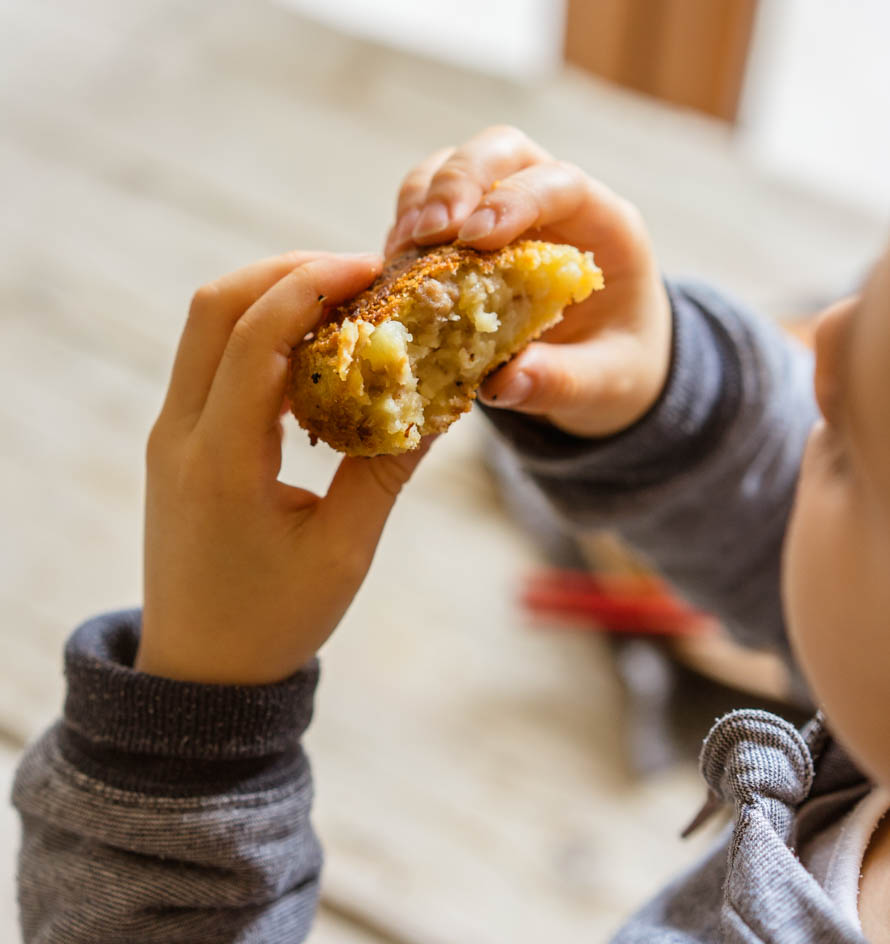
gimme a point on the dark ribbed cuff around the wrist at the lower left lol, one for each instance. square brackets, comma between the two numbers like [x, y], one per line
[143, 732]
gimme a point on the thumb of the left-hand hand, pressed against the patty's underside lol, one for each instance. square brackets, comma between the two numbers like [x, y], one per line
[364, 490]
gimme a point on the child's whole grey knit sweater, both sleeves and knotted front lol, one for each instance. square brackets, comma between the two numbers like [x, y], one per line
[160, 811]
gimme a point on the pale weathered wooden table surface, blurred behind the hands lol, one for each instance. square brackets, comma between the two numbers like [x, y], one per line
[470, 770]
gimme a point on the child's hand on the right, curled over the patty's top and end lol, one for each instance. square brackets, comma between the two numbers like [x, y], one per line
[605, 364]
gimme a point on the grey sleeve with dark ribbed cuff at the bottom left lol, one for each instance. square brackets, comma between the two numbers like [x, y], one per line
[165, 811]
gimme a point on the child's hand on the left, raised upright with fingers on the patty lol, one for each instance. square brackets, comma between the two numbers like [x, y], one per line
[245, 577]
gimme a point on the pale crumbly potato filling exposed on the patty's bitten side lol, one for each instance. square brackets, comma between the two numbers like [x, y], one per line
[410, 375]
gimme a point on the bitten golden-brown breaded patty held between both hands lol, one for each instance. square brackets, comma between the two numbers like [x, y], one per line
[405, 357]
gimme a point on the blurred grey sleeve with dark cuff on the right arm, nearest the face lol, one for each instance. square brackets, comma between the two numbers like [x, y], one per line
[703, 484]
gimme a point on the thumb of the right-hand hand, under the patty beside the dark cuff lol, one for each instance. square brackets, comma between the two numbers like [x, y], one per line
[591, 388]
